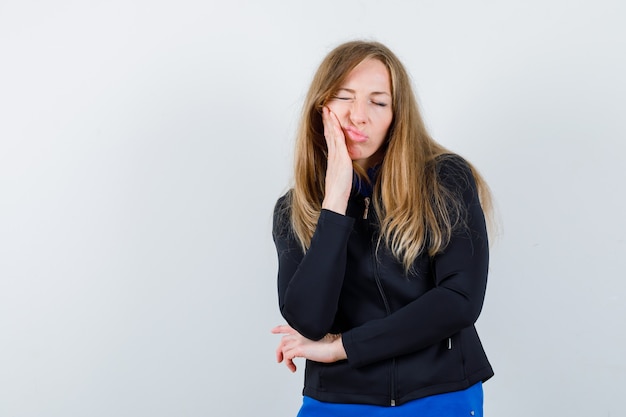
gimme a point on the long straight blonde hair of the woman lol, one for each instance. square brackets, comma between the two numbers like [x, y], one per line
[417, 213]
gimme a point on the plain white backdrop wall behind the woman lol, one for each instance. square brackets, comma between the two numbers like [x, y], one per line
[144, 143]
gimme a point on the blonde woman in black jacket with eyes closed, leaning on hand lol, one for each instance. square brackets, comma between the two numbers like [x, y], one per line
[382, 250]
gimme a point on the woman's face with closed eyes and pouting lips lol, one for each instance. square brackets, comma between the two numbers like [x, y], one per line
[364, 109]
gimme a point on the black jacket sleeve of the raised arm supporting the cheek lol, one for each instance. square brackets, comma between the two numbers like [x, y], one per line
[309, 284]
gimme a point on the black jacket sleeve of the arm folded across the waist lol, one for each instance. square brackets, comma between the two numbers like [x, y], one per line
[455, 301]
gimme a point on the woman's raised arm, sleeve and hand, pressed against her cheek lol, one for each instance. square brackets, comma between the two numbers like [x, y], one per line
[309, 284]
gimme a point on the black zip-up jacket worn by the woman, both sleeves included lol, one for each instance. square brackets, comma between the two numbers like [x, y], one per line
[406, 337]
